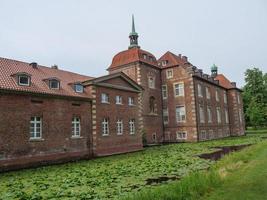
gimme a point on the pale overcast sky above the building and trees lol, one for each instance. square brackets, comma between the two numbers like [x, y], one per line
[83, 36]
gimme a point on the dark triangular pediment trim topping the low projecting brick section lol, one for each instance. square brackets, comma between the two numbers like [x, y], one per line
[100, 81]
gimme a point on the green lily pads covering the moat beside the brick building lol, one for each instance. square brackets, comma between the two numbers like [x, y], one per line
[116, 176]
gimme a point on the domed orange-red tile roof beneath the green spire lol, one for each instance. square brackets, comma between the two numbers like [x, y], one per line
[132, 55]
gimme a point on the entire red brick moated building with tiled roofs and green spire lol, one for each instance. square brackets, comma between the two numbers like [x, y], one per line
[50, 115]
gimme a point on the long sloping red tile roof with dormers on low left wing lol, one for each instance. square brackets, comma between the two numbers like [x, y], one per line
[10, 67]
